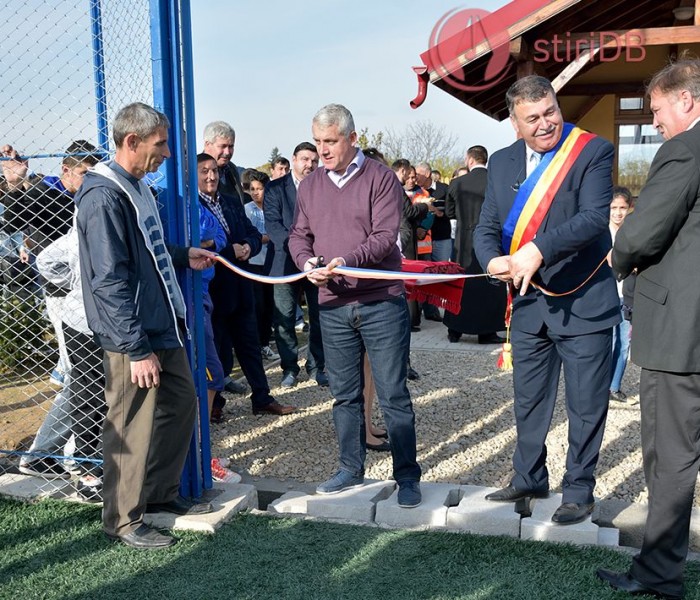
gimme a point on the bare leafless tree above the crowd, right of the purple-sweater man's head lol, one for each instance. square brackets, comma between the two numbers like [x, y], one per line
[422, 141]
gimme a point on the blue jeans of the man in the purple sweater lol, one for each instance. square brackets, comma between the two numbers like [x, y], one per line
[382, 330]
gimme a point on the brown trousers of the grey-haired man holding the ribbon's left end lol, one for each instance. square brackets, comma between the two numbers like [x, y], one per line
[146, 437]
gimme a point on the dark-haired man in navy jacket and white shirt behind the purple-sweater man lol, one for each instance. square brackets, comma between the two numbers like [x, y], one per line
[279, 204]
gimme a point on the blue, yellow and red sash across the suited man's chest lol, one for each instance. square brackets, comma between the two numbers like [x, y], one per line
[537, 192]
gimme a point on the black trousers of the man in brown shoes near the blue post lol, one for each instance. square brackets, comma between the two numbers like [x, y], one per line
[237, 331]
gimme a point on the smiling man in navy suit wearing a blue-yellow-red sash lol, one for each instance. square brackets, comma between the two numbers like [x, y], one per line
[562, 250]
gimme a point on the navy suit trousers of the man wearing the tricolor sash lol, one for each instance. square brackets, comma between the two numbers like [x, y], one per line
[537, 361]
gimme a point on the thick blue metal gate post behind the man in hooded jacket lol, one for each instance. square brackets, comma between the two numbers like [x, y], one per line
[172, 92]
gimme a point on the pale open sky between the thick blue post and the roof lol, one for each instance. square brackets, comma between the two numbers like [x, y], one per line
[267, 67]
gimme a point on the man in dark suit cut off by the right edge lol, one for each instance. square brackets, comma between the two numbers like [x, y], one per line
[661, 240]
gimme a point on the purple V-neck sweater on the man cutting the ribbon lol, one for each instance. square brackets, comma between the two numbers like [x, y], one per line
[359, 222]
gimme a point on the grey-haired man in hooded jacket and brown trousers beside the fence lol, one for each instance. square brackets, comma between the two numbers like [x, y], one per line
[135, 309]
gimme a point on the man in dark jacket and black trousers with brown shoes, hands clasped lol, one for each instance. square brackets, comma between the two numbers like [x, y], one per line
[233, 318]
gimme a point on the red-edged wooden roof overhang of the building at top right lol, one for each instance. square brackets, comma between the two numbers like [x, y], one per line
[568, 19]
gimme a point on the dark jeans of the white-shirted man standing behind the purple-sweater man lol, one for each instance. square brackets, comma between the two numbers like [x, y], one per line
[286, 296]
